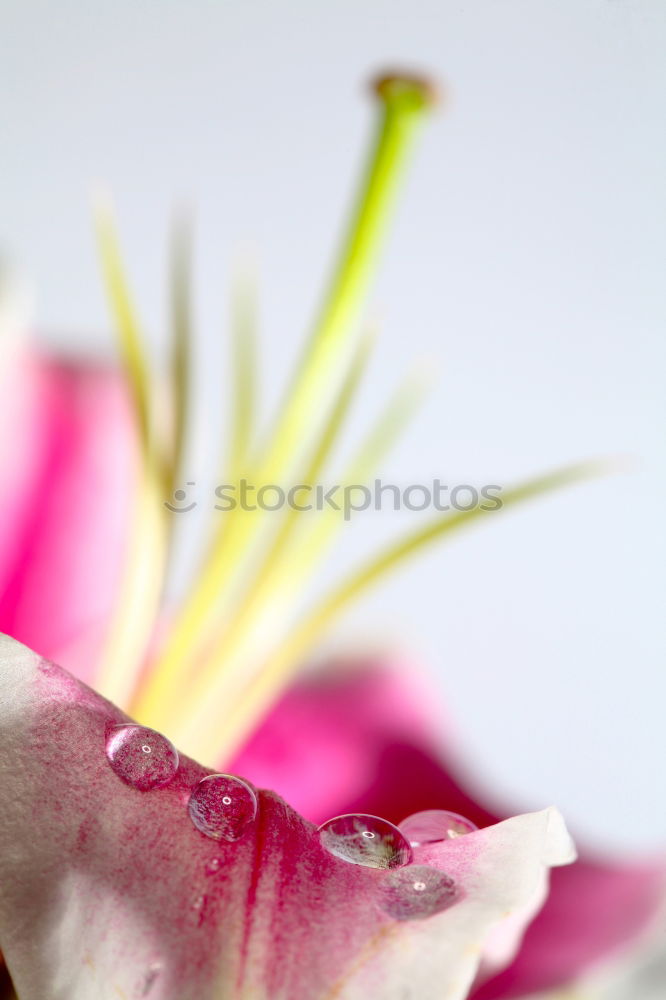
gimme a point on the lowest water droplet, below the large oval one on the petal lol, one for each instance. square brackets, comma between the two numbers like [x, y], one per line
[417, 891]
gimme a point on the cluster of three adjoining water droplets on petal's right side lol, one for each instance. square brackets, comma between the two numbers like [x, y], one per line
[408, 891]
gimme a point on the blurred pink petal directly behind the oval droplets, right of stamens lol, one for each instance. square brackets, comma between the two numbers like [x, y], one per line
[368, 728]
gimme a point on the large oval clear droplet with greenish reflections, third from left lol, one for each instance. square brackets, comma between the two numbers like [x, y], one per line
[365, 840]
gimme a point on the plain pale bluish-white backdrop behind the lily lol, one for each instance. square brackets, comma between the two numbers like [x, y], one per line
[527, 257]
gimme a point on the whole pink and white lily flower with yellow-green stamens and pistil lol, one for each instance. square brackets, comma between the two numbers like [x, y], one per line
[116, 884]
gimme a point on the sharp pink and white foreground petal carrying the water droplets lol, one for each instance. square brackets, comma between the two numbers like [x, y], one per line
[106, 891]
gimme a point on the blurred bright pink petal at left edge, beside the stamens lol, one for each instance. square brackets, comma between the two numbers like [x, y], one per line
[68, 442]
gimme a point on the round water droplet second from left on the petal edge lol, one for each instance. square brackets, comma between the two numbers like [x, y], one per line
[222, 807]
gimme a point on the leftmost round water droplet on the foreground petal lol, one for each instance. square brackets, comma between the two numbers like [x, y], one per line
[140, 756]
